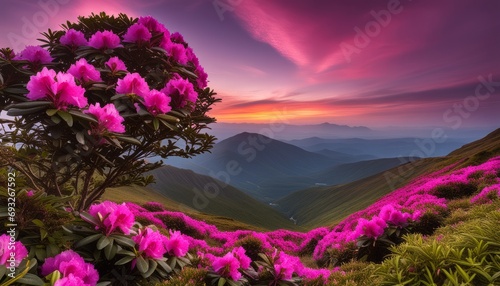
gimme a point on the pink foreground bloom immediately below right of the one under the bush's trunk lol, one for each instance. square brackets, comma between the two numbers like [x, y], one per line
[151, 243]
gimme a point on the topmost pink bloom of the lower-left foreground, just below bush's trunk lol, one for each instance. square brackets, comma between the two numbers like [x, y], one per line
[113, 216]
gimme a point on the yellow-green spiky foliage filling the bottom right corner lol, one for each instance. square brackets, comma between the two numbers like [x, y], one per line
[467, 256]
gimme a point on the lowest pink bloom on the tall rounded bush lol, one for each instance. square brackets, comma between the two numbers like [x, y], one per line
[108, 118]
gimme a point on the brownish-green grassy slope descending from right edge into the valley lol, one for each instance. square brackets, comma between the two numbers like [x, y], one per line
[328, 205]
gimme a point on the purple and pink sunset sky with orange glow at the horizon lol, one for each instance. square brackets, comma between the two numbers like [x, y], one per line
[372, 63]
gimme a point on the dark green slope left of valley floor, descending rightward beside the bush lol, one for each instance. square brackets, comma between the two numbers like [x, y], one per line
[205, 194]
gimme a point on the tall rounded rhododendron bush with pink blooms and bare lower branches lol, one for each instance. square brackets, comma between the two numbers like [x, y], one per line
[96, 99]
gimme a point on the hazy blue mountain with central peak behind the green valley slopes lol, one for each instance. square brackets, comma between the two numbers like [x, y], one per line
[269, 169]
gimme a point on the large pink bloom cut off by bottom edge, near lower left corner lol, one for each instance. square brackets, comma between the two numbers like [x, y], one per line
[69, 263]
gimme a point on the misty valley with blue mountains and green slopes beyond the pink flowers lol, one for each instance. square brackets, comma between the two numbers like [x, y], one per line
[298, 183]
